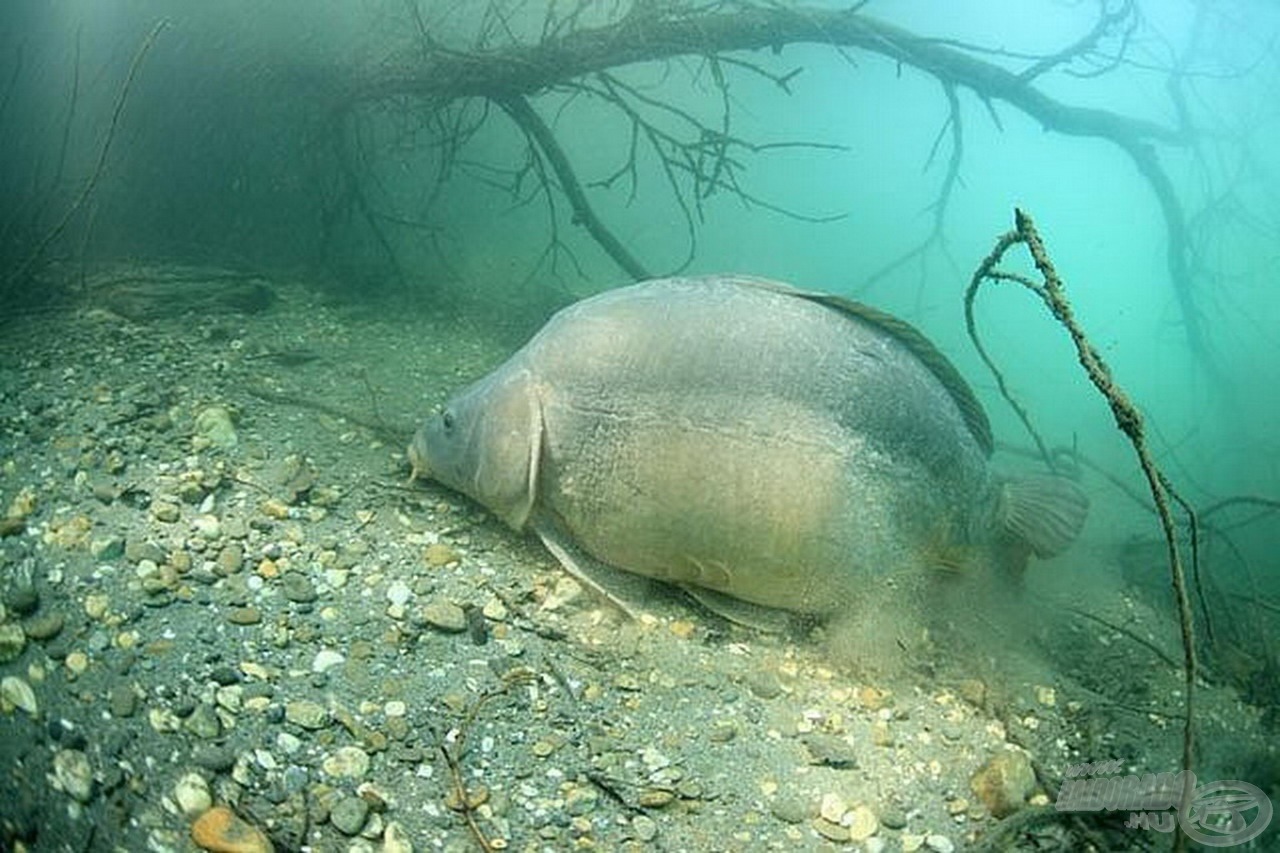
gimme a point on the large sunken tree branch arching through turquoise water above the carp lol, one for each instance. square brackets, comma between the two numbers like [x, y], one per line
[572, 56]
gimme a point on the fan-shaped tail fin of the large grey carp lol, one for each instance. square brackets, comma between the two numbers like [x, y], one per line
[1045, 513]
